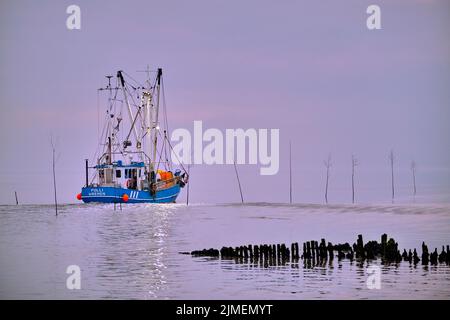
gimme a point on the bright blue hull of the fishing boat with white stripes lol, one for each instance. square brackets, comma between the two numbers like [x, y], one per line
[115, 195]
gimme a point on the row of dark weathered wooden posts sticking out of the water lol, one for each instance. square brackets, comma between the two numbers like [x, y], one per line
[315, 253]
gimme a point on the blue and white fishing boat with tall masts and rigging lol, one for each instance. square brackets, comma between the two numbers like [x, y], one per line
[132, 163]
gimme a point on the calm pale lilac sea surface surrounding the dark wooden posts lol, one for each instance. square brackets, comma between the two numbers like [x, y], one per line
[136, 251]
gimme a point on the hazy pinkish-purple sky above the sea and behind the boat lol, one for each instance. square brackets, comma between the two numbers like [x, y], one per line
[311, 69]
